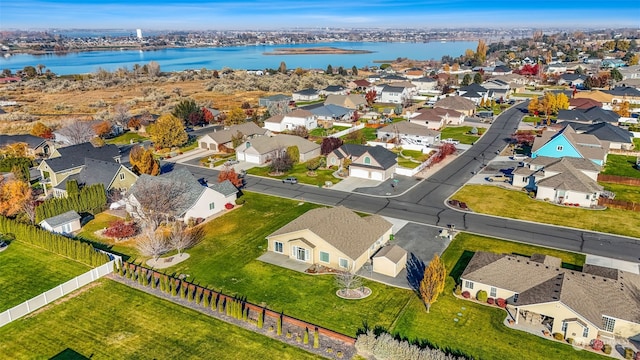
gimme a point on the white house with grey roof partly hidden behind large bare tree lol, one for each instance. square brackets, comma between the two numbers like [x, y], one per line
[199, 201]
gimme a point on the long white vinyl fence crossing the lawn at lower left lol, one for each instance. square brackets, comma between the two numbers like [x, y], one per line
[56, 293]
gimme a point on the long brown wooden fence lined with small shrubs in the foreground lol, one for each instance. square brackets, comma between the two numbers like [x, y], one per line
[254, 310]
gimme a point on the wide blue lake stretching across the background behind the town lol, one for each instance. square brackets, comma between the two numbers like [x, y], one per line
[242, 57]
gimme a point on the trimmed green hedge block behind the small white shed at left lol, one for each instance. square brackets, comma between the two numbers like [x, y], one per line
[90, 199]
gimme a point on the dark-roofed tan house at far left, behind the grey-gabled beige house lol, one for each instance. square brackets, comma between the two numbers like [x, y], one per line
[70, 160]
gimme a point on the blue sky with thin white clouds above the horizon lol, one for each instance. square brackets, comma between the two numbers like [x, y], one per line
[275, 14]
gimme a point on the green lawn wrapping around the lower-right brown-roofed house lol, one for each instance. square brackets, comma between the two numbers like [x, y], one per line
[480, 332]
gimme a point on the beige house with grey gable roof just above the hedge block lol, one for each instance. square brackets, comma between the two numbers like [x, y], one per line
[112, 175]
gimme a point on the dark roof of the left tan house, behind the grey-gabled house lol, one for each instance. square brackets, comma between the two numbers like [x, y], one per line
[75, 155]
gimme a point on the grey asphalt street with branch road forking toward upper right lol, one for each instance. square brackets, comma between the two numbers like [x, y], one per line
[425, 203]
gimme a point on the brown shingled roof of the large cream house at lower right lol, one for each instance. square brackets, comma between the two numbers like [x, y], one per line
[588, 294]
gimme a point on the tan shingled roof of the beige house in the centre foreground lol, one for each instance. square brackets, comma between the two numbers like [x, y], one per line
[341, 228]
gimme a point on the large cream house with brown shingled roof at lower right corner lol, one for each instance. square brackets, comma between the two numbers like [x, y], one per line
[583, 305]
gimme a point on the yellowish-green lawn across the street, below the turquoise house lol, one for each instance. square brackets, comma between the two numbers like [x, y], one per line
[517, 205]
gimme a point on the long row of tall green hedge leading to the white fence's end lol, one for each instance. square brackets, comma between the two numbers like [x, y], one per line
[55, 243]
